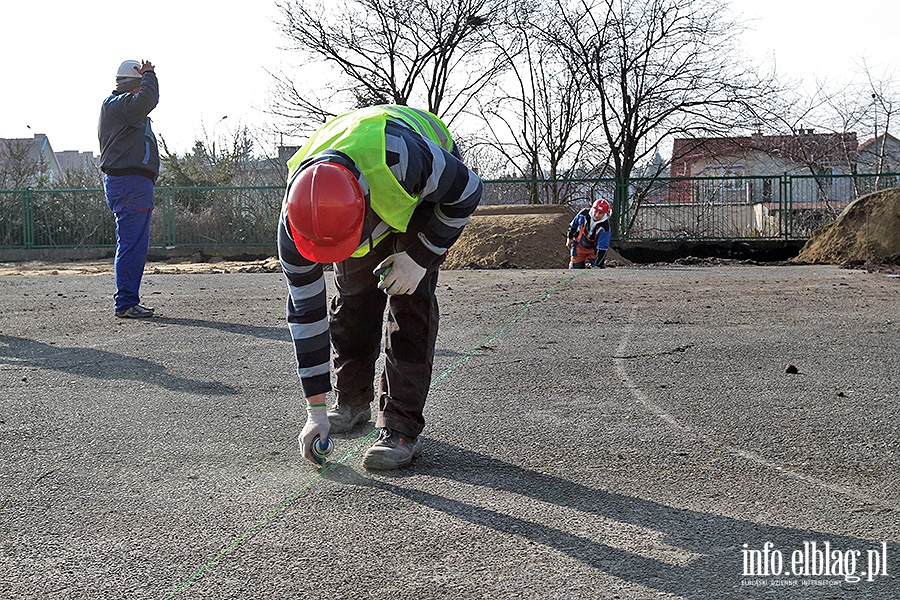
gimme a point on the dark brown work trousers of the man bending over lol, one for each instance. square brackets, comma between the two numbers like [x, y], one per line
[356, 317]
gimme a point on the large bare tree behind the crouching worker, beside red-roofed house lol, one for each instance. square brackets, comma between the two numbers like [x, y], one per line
[659, 68]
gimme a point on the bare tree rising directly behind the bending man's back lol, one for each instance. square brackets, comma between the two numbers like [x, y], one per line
[430, 53]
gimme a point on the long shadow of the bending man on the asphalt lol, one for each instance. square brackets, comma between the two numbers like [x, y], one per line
[717, 541]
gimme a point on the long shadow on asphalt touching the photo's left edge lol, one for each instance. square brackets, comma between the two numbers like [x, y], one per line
[100, 364]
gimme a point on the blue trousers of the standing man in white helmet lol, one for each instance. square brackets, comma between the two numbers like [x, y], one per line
[130, 198]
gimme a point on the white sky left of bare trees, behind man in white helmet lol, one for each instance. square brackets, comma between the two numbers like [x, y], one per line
[58, 61]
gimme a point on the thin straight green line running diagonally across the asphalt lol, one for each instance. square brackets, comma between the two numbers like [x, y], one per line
[354, 450]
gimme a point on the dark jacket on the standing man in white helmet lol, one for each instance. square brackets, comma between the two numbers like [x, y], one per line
[127, 143]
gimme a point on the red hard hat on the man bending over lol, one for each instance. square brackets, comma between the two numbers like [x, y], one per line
[325, 211]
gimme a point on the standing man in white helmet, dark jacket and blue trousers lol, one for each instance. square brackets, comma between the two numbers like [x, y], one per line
[129, 159]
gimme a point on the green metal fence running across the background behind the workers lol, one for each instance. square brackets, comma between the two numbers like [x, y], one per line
[787, 207]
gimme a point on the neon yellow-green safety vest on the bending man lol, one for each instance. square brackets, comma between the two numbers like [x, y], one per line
[360, 135]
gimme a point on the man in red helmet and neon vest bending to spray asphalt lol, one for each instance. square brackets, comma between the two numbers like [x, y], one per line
[380, 192]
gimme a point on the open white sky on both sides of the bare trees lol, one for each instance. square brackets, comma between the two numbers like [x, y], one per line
[58, 59]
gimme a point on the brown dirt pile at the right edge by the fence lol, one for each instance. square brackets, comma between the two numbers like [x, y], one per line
[867, 231]
